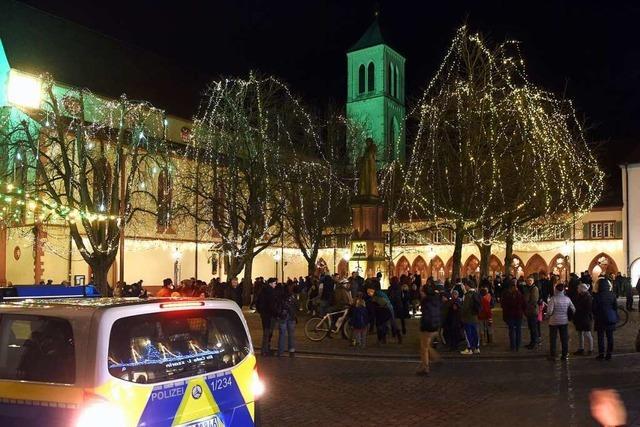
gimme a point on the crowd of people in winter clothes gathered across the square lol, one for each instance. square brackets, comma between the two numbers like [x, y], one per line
[460, 312]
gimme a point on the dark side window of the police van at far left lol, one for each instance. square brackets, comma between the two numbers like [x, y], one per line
[37, 348]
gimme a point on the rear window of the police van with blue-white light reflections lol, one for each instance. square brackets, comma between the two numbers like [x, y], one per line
[164, 346]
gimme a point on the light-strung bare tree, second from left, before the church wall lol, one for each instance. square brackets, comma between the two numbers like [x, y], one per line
[243, 135]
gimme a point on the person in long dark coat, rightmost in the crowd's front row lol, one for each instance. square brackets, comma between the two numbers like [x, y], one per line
[605, 315]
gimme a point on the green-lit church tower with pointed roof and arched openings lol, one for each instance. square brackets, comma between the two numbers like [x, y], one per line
[375, 95]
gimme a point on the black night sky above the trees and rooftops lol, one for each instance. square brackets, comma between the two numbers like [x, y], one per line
[587, 50]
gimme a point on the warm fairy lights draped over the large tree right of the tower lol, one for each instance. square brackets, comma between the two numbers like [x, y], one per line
[495, 154]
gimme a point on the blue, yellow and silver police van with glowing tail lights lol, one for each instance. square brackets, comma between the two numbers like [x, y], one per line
[126, 362]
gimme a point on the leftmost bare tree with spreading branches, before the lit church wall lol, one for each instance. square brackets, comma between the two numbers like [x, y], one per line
[85, 160]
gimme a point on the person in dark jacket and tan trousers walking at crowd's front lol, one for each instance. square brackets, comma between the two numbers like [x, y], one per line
[430, 322]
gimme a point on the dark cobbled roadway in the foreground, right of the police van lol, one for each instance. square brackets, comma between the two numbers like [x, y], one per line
[316, 390]
